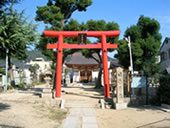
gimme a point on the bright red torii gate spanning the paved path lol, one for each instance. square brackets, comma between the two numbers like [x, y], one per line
[60, 45]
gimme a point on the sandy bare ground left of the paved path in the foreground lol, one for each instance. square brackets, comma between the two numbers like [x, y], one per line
[23, 109]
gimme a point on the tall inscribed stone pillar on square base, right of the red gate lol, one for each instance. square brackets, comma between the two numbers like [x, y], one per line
[120, 104]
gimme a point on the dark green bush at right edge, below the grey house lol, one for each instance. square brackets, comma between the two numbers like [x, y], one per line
[164, 89]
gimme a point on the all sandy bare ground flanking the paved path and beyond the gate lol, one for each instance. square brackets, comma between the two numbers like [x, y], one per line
[22, 109]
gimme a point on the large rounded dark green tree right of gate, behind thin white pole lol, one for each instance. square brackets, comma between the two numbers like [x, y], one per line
[145, 43]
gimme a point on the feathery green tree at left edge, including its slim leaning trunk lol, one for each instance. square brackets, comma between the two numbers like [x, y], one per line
[16, 34]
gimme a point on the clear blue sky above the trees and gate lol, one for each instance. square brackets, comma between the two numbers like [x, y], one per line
[123, 12]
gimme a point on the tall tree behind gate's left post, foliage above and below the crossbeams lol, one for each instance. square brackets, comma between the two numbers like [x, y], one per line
[55, 15]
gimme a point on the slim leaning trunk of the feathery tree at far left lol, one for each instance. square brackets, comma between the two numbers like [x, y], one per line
[11, 73]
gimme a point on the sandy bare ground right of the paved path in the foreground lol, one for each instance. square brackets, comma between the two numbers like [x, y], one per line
[144, 117]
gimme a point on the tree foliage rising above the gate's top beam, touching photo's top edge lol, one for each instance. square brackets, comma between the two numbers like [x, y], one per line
[57, 12]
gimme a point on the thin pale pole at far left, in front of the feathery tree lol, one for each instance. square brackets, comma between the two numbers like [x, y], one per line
[6, 72]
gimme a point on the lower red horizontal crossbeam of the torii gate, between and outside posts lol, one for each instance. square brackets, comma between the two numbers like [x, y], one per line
[78, 46]
